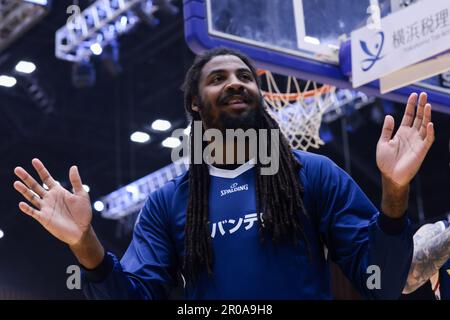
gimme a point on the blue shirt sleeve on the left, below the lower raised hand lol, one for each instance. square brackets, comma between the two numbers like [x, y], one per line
[147, 269]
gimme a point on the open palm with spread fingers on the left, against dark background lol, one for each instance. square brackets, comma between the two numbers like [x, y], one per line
[64, 214]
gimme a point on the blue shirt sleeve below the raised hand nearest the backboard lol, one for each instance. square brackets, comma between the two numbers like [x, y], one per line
[373, 250]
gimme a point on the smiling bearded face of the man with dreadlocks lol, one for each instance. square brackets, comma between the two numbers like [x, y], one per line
[229, 97]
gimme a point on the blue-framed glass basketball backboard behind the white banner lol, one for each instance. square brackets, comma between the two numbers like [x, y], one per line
[301, 38]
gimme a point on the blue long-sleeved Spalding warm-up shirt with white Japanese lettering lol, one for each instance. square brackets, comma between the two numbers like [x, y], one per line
[342, 218]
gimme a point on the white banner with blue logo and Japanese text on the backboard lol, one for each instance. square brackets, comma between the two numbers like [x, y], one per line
[413, 34]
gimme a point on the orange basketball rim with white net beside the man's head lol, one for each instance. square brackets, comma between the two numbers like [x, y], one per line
[298, 111]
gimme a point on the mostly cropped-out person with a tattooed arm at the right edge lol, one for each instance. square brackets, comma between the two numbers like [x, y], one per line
[431, 260]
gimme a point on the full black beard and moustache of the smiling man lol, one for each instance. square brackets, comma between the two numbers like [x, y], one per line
[248, 119]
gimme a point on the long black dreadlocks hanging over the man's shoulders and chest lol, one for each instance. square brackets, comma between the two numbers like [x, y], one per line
[279, 196]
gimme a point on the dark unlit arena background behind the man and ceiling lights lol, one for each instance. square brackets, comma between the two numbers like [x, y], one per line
[90, 127]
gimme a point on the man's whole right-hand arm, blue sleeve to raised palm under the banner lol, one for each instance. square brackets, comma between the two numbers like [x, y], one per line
[359, 237]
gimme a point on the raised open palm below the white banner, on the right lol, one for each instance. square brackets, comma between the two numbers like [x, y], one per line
[400, 158]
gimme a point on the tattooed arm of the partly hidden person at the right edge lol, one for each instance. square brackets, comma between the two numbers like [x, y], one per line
[431, 251]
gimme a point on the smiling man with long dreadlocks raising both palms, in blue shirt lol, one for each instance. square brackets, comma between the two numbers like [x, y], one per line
[236, 233]
